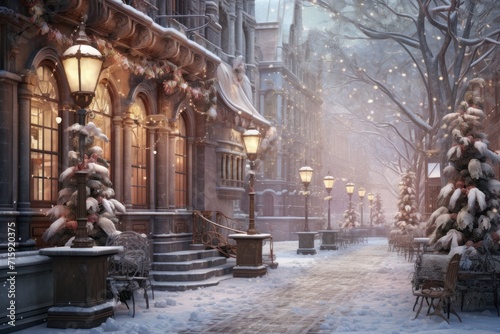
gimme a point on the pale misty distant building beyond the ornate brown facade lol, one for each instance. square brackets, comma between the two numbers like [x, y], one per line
[290, 98]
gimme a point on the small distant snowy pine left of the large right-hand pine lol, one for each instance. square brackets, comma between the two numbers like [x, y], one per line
[407, 219]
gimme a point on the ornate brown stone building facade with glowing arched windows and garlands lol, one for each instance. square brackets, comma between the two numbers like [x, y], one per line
[175, 132]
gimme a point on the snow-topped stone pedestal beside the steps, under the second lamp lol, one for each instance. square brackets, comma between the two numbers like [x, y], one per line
[249, 254]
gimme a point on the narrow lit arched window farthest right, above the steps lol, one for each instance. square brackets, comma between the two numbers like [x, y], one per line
[181, 168]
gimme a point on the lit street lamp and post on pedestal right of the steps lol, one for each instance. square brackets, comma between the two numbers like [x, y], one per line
[251, 140]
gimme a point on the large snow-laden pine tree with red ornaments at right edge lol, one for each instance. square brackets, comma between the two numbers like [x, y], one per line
[468, 204]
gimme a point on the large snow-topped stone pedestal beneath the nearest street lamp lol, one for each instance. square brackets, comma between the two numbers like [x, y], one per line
[79, 276]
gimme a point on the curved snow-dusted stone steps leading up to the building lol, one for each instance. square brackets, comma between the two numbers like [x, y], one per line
[189, 269]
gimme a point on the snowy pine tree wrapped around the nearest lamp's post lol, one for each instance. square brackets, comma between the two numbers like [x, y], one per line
[100, 201]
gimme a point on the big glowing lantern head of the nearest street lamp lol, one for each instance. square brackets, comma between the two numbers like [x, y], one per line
[82, 64]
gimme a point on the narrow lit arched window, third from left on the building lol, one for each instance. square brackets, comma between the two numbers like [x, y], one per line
[139, 158]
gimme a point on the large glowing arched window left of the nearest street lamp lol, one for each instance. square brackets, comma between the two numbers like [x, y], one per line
[44, 133]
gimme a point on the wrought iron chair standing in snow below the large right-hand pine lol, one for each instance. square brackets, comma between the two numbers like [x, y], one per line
[438, 293]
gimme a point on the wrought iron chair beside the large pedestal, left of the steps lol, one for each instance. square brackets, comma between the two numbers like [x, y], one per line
[128, 271]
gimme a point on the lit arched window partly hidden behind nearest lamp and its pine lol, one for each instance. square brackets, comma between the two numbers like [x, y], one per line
[101, 116]
